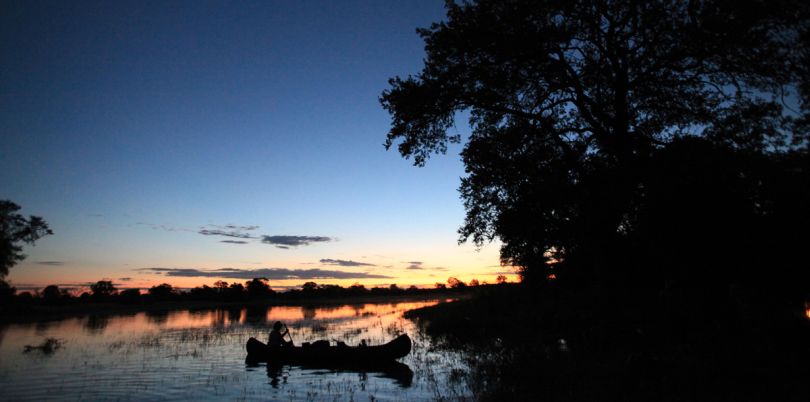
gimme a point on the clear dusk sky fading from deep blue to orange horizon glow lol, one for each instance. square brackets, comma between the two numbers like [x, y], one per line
[190, 142]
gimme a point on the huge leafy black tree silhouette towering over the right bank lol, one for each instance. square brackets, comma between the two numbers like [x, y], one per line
[583, 112]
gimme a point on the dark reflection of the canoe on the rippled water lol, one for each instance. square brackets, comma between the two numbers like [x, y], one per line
[399, 372]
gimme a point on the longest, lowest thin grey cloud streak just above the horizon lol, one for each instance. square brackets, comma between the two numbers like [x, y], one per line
[269, 273]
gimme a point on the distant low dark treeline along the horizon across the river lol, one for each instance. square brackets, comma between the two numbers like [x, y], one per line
[257, 289]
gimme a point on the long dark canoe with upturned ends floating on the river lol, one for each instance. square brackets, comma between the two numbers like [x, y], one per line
[397, 348]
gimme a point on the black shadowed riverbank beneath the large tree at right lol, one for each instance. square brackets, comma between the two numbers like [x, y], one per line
[569, 345]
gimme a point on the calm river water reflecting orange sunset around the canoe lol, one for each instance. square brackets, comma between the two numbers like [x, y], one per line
[200, 355]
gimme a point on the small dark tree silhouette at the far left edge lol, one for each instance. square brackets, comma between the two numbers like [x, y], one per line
[15, 230]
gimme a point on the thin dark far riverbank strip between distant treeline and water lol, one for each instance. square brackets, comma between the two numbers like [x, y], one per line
[30, 312]
